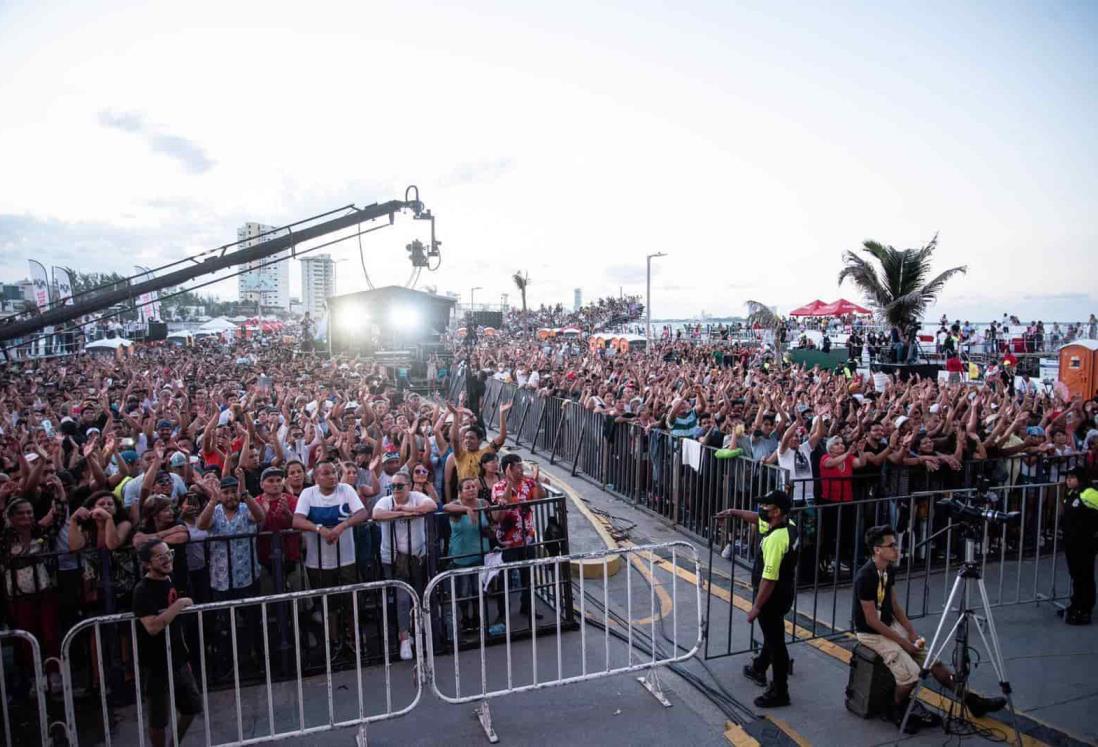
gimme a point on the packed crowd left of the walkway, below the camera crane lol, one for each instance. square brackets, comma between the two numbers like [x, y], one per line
[227, 471]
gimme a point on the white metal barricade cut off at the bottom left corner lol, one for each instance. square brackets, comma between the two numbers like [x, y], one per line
[26, 719]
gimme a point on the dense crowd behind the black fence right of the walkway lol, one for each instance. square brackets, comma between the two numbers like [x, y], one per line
[835, 437]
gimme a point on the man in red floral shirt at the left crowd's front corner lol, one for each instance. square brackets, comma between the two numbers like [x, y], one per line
[514, 525]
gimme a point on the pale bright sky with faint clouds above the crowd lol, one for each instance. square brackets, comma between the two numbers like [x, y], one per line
[754, 143]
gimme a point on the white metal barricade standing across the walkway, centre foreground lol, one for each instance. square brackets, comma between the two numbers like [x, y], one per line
[619, 644]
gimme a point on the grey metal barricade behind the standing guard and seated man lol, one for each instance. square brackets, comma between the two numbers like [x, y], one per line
[1021, 564]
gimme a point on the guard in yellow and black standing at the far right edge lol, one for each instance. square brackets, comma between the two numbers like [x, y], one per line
[1081, 544]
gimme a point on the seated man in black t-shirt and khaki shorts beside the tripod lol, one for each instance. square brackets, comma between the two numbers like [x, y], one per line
[882, 626]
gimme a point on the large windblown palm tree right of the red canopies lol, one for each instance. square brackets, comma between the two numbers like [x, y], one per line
[897, 287]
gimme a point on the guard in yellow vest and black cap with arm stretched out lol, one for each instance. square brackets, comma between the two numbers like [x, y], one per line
[774, 581]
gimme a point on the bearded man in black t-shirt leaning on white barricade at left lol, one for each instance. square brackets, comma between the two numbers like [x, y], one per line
[156, 605]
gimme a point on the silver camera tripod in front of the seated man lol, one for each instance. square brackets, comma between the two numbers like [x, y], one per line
[967, 618]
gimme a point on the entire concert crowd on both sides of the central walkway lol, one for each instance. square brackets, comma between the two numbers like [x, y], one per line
[232, 470]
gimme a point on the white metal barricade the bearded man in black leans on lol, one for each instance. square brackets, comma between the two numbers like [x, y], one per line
[279, 710]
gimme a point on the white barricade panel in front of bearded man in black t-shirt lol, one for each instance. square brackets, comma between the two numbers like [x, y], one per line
[242, 675]
